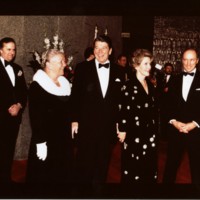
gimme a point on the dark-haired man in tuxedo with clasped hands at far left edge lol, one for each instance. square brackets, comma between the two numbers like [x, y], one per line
[13, 99]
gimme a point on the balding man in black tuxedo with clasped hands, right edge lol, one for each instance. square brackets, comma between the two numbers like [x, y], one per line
[184, 119]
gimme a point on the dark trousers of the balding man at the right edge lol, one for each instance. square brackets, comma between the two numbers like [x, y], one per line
[177, 144]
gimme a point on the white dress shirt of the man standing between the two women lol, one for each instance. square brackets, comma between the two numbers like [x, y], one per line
[103, 74]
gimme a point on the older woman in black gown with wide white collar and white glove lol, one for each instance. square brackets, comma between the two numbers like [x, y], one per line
[50, 155]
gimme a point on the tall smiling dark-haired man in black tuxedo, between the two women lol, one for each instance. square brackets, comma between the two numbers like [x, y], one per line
[95, 98]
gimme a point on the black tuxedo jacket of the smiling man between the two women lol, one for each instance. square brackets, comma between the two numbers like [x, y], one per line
[97, 116]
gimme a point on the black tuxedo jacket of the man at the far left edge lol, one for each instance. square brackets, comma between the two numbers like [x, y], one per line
[10, 94]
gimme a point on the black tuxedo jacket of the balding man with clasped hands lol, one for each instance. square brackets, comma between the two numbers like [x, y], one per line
[181, 110]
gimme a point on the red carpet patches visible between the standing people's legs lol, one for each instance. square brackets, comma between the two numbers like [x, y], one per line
[183, 175]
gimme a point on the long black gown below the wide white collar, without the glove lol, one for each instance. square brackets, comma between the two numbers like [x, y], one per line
[50, 124]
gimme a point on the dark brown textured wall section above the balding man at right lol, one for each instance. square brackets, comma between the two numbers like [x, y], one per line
[172, 35]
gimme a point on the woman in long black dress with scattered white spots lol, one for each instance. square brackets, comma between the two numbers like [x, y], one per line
[138, 127]
